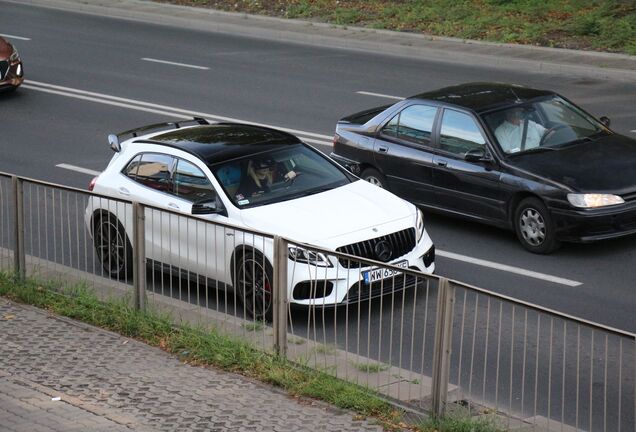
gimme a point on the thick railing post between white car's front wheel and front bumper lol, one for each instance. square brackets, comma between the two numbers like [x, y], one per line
[280, 295]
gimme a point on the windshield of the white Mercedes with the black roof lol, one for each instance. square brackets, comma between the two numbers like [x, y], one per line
[278, 175]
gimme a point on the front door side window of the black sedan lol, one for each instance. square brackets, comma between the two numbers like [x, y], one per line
[459, 133]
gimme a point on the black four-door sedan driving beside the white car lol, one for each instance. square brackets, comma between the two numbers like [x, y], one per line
[506, 155]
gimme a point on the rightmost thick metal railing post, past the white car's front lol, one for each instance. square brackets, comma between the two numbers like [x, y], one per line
[442, 348]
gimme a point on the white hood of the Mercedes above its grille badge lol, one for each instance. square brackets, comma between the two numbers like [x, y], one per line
[340, 216]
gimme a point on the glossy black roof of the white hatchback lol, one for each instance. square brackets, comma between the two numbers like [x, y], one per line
[225, 141]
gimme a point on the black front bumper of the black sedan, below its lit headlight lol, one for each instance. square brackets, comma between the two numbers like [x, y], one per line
[595, 224]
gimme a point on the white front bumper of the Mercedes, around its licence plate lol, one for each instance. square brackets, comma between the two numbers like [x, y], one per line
[331, 286]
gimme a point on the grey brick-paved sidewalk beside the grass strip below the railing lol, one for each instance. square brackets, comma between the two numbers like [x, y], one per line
[107, 382]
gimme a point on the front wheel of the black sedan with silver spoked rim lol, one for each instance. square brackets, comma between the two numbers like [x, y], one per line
[534, 227]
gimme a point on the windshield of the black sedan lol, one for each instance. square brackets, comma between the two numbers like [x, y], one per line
[550, 123]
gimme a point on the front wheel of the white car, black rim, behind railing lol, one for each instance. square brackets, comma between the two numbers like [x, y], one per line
[254, 285]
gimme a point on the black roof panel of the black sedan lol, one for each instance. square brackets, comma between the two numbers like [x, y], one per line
[482, 97]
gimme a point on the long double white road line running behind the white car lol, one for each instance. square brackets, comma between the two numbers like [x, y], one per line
[159, 109]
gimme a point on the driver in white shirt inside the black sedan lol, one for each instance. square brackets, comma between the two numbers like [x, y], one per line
[510, 133]
